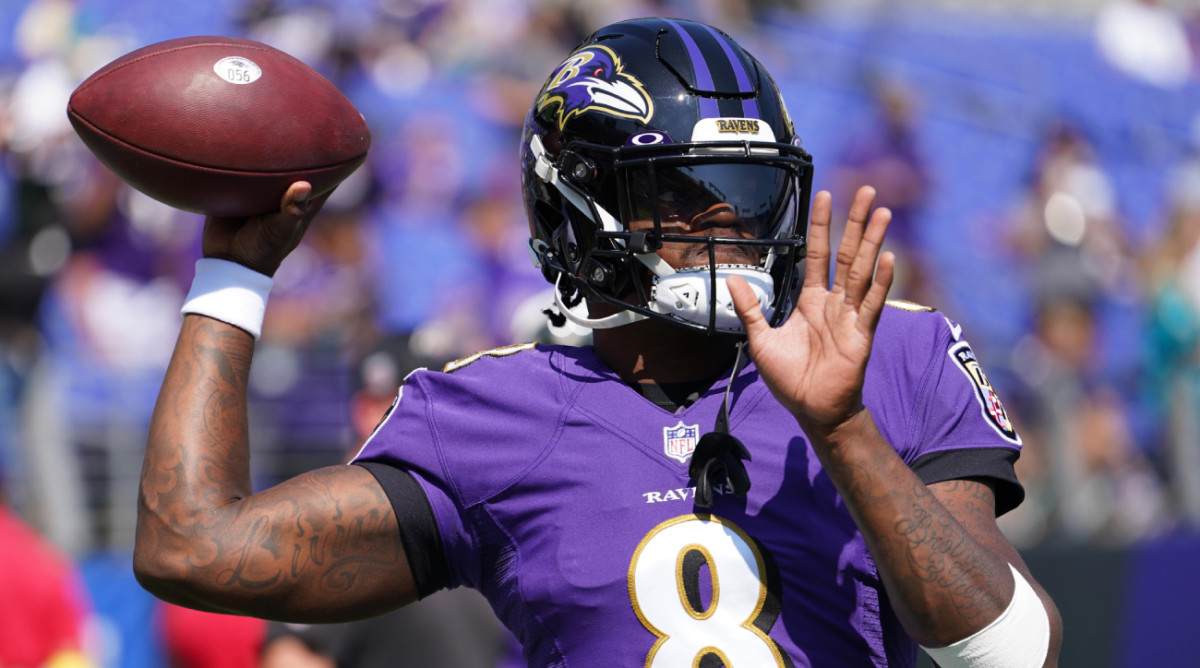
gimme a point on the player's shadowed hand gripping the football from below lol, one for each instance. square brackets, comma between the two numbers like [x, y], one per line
[263, 242]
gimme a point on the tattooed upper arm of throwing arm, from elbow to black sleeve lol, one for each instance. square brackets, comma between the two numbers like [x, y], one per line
[321, 547]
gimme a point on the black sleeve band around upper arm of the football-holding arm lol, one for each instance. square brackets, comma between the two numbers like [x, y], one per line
[418, 528]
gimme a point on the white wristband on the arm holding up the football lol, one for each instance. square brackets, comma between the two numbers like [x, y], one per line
[231, 293]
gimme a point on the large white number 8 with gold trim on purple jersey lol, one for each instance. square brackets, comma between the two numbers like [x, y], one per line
[664, 585]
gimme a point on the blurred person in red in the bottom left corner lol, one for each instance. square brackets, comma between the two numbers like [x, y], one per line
[44, 605]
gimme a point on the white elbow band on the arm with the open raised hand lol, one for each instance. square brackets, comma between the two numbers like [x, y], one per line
[1018, 639]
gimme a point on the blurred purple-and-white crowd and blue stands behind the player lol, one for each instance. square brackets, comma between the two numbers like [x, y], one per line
[1045, 172]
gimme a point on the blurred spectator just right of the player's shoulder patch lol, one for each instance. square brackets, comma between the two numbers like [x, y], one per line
[1094, 484]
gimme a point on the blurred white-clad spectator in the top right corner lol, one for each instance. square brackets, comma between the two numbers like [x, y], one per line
[1147, 40]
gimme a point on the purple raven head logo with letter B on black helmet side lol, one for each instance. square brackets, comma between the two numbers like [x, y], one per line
[593, 80]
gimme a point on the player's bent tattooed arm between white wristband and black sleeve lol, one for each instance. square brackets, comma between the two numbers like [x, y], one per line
[321, 547]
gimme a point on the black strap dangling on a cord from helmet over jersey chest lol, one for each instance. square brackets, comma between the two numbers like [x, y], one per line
[719, 455]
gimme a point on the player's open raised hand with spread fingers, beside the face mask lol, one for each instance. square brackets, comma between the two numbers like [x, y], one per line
[817, 362]
